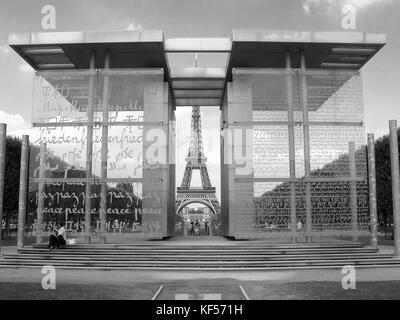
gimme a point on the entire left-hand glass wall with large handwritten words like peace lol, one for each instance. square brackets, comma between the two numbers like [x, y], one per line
[59, 179]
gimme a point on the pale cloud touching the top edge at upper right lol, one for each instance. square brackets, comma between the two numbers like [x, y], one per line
[330, 6]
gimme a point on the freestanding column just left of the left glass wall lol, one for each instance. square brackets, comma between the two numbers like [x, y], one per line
[23, 190]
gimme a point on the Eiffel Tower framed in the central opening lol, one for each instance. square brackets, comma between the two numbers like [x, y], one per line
[196, 161]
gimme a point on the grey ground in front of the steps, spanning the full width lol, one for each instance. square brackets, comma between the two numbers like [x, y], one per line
[25, 283]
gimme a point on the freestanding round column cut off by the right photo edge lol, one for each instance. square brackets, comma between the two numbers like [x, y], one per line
[394, 157]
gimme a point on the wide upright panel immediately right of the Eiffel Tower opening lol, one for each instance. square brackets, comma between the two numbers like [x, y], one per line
[242, 204]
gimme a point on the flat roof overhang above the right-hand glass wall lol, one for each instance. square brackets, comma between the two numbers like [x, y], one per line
[322, 50]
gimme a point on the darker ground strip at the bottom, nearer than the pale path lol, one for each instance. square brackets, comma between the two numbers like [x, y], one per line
[229, 290]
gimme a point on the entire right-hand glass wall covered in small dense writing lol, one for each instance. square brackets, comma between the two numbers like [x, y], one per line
[333, 97]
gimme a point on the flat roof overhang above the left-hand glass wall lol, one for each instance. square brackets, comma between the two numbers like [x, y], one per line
[71, 50]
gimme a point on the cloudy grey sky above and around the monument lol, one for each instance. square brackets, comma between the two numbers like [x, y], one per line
[203, 18]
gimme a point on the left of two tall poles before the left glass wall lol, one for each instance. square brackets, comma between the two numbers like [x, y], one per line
[89, 147]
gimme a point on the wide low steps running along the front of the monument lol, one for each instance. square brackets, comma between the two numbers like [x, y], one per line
[170, 256]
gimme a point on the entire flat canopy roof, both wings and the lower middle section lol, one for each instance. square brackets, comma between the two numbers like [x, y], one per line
[345, 50]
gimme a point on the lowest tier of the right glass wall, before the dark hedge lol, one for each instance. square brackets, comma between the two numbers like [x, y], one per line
[266, 208]
